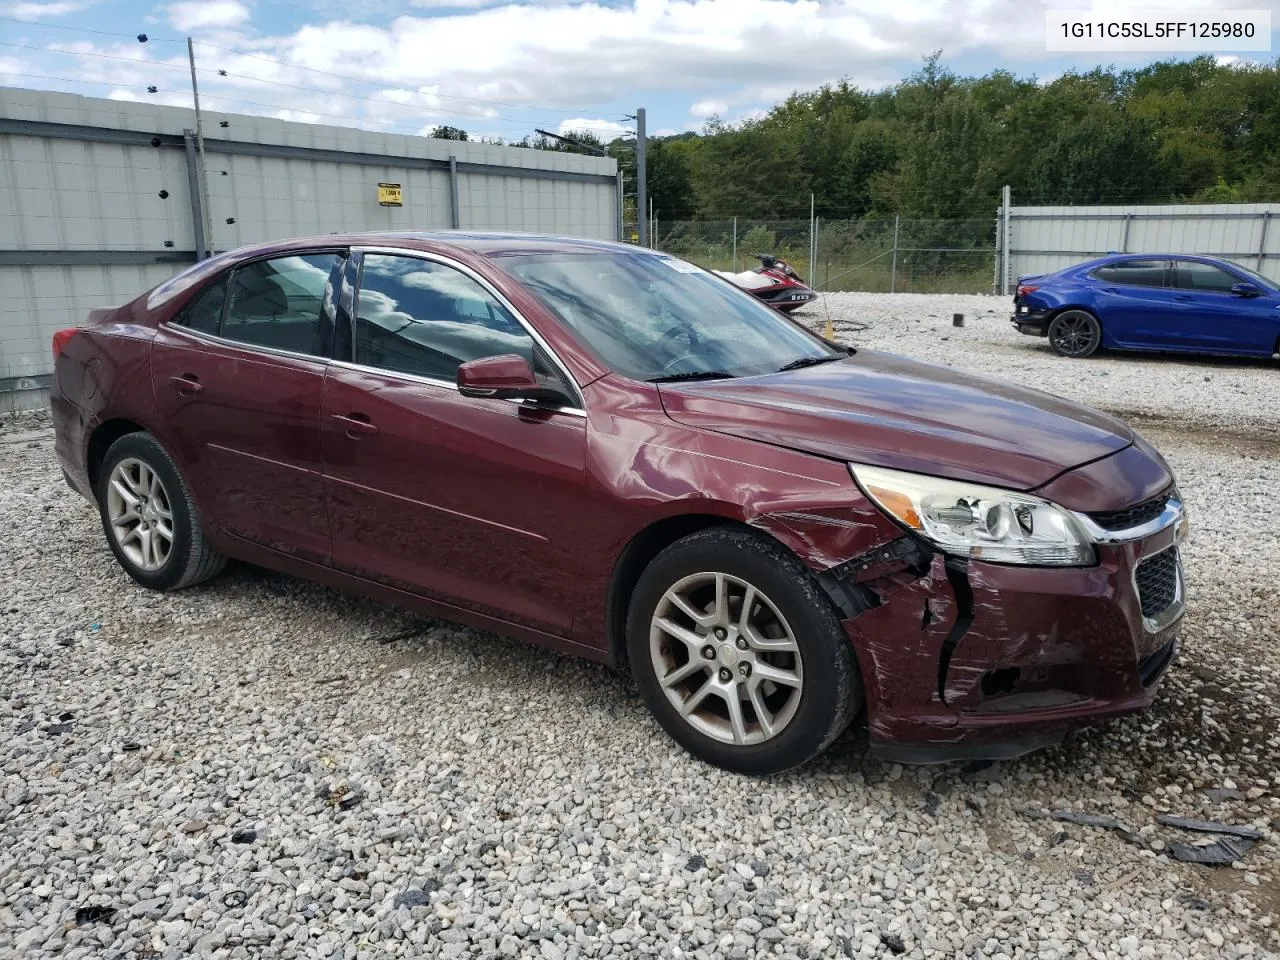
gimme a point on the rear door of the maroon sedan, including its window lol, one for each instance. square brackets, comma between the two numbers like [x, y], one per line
[239, 378]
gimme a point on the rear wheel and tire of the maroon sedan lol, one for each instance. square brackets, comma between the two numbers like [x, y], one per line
[138, 467]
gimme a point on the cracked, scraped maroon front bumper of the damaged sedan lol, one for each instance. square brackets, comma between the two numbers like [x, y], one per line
[968, 660]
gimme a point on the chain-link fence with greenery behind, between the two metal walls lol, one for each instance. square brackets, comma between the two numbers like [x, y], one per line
[877, 255]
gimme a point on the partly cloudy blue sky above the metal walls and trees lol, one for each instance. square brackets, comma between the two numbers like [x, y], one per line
[505, 68]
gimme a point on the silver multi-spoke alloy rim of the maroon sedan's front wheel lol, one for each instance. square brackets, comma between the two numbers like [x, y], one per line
[726, 659]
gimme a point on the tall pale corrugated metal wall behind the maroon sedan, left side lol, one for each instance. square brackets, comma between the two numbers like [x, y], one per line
[84, 223]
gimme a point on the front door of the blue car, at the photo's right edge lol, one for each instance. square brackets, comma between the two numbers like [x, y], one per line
[1213, 318]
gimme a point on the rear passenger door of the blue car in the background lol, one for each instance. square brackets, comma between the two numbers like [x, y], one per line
[1136, 303]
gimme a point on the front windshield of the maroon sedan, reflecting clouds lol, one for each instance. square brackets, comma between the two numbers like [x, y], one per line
[657, 318]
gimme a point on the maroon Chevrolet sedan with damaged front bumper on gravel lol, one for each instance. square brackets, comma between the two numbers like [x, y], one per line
[619, 455]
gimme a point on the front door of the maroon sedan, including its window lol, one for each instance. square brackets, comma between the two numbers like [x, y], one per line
[464, 500]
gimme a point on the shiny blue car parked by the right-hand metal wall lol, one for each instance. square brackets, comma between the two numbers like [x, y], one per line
[1153, 301]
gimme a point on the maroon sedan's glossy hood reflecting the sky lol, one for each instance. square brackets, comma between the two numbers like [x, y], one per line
[895, 413]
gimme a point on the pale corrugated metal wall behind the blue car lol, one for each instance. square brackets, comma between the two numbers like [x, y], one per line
[1046, 239]
